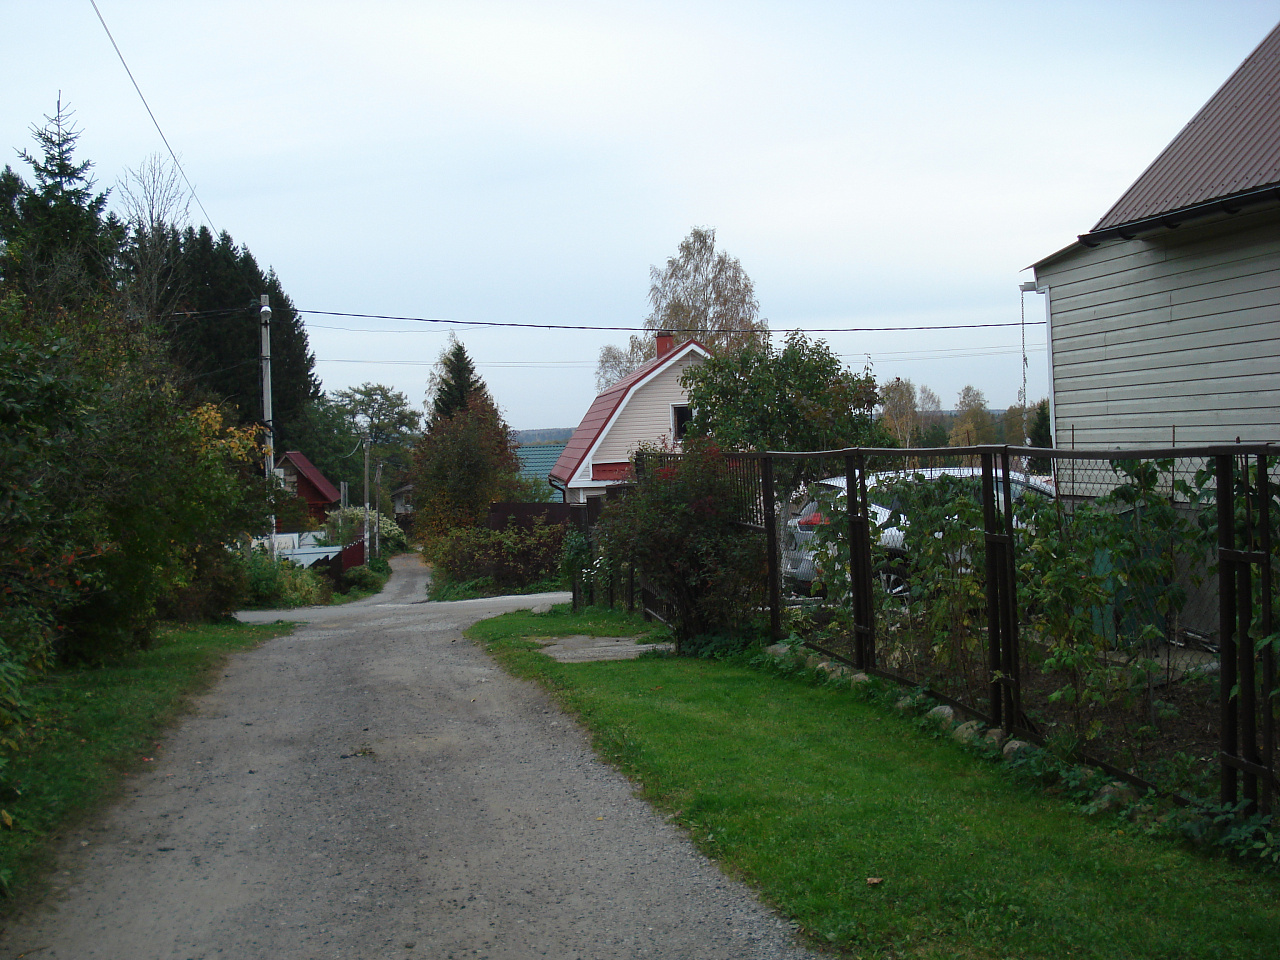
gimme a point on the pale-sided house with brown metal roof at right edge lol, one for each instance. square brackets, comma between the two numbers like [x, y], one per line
[1165, 321]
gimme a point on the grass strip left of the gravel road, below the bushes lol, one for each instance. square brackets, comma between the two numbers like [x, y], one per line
[90, 728]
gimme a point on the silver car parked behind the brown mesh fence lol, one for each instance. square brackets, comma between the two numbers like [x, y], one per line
[799, 563]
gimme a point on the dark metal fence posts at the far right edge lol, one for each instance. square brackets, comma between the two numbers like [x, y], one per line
[1249, 701]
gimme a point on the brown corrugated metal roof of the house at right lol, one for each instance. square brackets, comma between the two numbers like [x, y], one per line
[1231, 148]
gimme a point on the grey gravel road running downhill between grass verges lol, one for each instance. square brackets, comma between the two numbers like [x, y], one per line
[373, 787]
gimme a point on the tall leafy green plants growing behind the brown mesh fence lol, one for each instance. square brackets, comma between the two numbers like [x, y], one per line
[1101, 587]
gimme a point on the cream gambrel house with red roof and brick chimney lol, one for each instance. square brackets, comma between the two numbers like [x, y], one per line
[647, 406]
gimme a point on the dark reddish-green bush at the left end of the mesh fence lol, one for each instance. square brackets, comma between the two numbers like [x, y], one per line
[682, 529]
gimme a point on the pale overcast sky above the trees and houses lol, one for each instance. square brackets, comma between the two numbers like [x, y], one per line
[872, 164]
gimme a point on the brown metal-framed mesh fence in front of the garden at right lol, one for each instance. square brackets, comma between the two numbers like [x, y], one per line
[1114, 606]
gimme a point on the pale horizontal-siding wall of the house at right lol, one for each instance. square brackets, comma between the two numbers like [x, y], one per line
[1178, 331]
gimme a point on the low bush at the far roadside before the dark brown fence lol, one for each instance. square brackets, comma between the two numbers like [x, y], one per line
[513, 559]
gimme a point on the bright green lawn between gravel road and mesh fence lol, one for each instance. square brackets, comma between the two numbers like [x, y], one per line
[880, 840]
